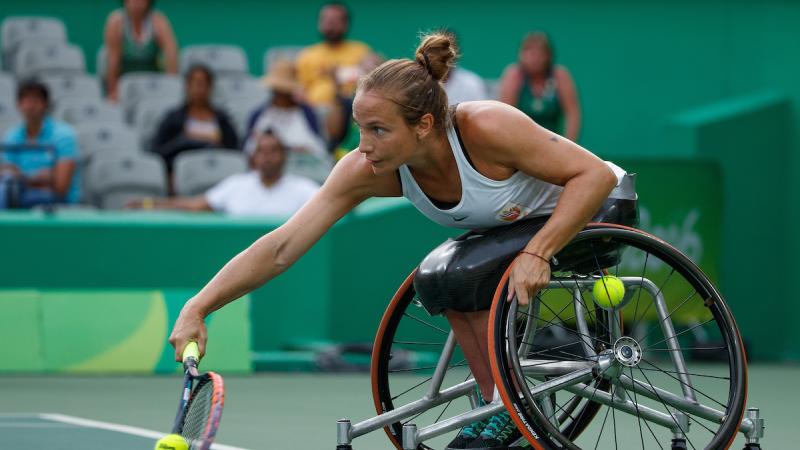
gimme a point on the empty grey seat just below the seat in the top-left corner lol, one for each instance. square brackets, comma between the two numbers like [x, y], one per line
[40, 60]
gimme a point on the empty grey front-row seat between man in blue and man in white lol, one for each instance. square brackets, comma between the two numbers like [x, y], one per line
[113, 180]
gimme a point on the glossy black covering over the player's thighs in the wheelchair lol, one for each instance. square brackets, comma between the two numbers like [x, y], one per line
[462, 273]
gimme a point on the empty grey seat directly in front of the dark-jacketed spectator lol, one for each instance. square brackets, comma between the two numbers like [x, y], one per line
[196, 171]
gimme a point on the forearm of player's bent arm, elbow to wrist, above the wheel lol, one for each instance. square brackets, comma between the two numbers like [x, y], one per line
[582, 197]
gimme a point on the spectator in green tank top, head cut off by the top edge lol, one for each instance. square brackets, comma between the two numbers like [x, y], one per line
[138, 39]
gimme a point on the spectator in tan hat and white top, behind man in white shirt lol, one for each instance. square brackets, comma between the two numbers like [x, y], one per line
[293, 121]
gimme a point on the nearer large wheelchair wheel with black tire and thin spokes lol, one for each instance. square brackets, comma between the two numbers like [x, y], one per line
[625, 252]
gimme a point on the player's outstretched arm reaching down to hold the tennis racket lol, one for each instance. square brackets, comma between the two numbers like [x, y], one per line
[351, 182]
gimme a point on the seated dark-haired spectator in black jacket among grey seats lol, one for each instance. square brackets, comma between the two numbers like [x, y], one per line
[195, 124]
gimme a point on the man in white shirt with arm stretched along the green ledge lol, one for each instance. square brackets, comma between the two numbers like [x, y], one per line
[266, 190]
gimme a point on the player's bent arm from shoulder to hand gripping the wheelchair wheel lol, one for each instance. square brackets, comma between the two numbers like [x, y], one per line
[519, 143]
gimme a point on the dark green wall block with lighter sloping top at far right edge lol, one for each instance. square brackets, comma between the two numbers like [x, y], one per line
[748, 137]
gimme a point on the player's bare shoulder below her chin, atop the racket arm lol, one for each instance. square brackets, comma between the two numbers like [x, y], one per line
[353, 177]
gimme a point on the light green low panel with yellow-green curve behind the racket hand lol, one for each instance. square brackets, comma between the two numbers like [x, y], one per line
[110, 331]
